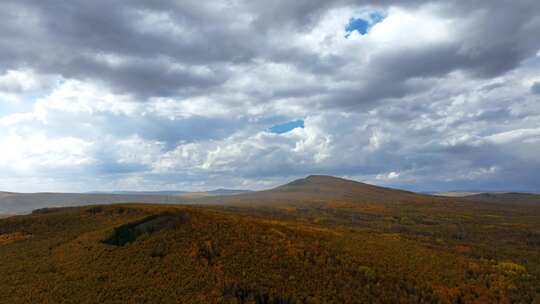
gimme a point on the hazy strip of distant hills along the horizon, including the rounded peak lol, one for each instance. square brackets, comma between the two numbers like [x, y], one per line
[313, 190]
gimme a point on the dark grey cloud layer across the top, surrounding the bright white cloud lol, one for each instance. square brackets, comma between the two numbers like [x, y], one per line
[68, 37]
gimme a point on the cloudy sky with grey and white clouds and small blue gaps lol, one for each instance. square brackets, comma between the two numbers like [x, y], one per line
[193, 95]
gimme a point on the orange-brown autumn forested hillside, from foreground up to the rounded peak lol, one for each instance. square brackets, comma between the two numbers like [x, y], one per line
[323, 240]
